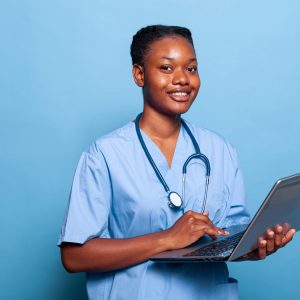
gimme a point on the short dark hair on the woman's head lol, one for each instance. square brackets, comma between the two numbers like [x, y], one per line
[142, 40]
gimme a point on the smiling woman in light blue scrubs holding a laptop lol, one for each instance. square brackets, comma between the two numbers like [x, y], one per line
[119, 213]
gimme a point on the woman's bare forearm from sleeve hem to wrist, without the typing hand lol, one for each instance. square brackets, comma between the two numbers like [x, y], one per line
[102, 255]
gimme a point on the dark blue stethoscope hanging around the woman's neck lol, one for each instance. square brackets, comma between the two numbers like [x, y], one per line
[174, 199]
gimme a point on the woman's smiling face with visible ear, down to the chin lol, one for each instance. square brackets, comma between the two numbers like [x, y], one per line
[169, 76]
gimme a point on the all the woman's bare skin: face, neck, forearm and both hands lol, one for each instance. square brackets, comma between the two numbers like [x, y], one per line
[170, 83]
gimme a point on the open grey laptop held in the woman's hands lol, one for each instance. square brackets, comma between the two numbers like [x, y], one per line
[282, 205]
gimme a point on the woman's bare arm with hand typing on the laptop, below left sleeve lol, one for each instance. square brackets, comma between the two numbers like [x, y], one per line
[101, 255]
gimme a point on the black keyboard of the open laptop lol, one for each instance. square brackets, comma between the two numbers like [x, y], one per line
[221, 248]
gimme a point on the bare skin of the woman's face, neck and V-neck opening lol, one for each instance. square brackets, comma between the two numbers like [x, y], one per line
[170, 66]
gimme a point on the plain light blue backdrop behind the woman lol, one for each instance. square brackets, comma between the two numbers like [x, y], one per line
[65, 79]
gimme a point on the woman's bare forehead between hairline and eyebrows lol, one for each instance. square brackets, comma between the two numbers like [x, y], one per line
[173, 47]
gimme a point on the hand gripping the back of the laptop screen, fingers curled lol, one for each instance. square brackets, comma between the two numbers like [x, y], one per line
[271, 241]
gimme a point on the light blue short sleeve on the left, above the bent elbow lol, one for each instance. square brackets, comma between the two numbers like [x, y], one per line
[89, 204]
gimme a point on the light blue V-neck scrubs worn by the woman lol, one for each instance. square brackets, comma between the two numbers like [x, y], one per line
[116, 194]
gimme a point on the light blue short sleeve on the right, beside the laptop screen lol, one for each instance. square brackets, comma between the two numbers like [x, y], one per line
[238, 212]
